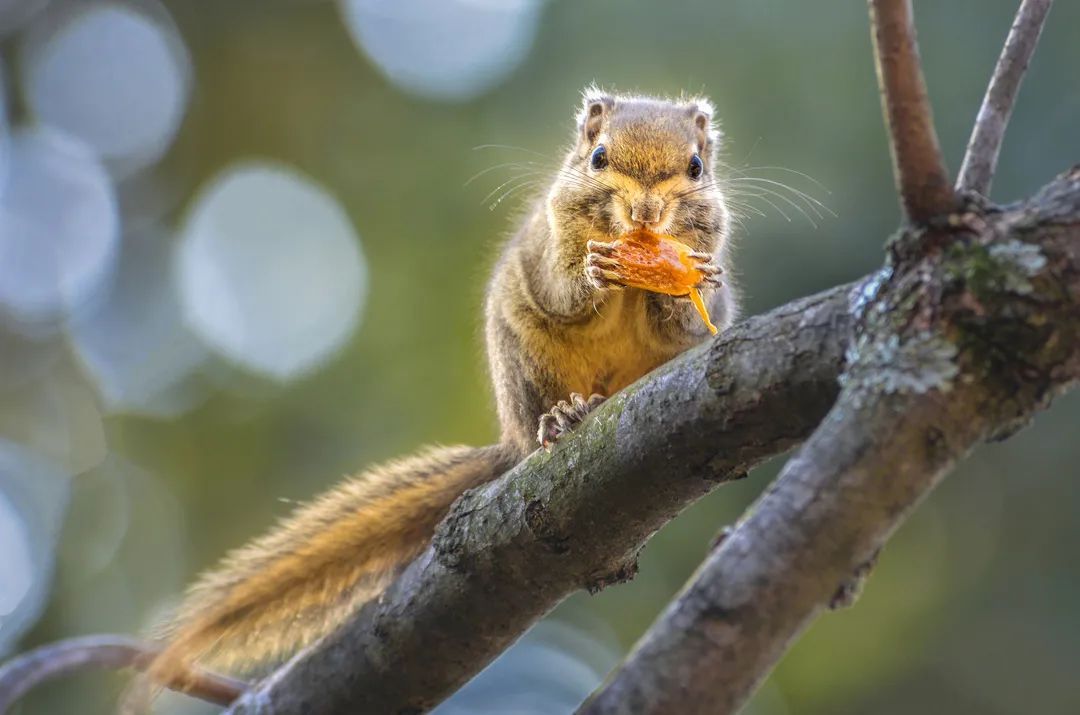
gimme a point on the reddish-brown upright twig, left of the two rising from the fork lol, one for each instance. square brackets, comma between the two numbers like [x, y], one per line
[920, 171]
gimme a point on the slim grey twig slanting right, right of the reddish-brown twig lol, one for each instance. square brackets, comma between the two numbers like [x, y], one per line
[981, 160]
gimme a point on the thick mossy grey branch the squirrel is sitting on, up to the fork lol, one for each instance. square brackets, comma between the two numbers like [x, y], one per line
[574, 519]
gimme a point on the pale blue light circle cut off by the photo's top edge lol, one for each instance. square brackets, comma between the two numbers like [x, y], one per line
[449, 50]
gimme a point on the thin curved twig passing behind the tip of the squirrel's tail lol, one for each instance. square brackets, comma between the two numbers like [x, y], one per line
[21, 676]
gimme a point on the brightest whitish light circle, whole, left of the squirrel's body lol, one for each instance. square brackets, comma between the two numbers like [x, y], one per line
[271, 272]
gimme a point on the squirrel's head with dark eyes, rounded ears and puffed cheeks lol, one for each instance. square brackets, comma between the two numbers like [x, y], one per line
[642, 163]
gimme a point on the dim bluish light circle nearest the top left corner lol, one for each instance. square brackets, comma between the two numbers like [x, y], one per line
[113, 76]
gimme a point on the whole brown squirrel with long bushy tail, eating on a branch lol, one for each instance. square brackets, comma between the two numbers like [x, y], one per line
[562, 334]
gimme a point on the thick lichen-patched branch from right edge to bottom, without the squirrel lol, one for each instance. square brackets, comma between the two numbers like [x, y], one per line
[957, 348]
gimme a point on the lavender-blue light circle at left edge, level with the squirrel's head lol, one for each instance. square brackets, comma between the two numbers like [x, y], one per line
[59, 225]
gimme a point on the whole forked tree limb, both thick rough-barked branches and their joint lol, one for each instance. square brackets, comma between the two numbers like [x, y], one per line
[985, 331]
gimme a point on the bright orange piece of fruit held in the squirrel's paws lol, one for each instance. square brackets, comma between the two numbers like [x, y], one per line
[660, 264]
